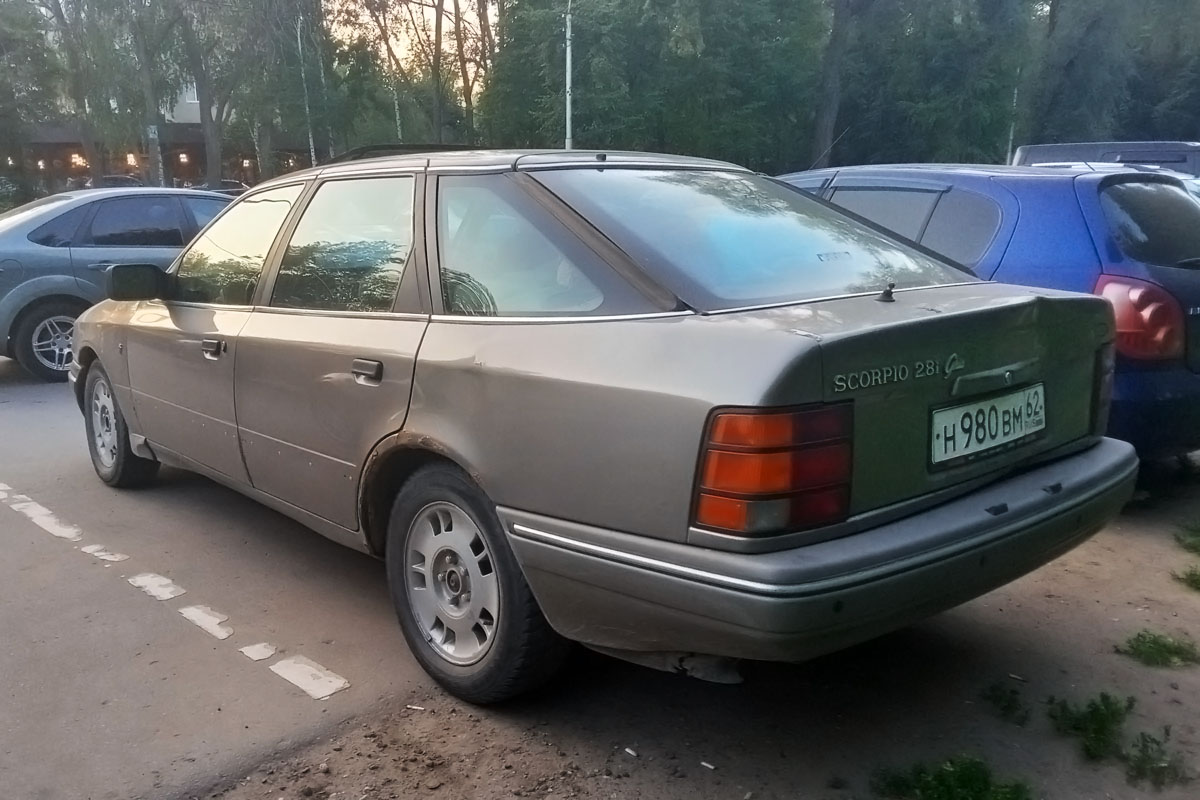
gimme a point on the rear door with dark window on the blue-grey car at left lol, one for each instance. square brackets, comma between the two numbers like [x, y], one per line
[136, 230]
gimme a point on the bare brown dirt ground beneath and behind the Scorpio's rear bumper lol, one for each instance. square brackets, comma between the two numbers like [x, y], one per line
[821, 730]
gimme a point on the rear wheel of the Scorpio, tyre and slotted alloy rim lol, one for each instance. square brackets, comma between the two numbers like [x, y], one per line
[464, 605]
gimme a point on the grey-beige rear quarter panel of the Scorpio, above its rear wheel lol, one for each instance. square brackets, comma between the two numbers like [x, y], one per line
[598, 423]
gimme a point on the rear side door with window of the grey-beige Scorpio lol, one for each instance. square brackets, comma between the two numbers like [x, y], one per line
[326, 363]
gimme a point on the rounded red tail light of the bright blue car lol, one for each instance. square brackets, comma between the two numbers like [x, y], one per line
[1150, 321]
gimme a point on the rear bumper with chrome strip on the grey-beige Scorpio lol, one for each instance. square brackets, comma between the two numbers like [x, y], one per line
[631, 593]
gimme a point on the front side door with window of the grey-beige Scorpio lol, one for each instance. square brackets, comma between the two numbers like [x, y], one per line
[183, 351]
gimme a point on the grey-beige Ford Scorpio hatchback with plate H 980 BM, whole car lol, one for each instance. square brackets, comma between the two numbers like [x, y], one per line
[664, 407]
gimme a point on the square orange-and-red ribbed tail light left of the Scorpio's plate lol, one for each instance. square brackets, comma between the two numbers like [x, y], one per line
[765, 473]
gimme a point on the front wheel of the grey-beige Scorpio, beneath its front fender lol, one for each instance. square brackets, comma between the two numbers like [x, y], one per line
[109, 437]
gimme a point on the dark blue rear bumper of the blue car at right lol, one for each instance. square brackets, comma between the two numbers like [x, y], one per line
[1157, 412]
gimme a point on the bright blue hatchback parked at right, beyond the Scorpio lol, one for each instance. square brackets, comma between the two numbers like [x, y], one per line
[1130, 236]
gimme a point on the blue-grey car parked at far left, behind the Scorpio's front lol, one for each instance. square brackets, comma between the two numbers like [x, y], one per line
[53, 254]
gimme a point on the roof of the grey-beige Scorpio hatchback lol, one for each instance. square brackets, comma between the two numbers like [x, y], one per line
[505, 161]
